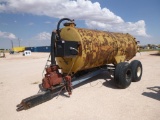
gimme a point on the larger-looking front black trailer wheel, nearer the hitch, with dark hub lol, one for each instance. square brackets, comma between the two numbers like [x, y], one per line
[123, 75]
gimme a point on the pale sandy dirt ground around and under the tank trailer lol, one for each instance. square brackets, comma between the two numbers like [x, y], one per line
[98, 99]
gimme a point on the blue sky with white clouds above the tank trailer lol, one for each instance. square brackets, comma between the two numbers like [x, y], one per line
[30, 22]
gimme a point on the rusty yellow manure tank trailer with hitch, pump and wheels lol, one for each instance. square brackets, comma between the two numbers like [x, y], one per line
[78, 54]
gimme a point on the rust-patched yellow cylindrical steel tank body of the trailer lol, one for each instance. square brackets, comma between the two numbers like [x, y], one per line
[97, 48]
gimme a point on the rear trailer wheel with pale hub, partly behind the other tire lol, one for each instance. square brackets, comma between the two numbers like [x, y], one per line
[137, 70]
